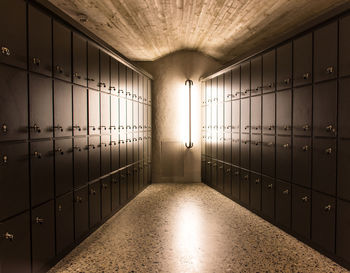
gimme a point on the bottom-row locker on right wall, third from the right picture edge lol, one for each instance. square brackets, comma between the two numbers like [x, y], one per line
[301, 211]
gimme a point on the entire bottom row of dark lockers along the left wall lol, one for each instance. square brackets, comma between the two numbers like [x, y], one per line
[57, 225]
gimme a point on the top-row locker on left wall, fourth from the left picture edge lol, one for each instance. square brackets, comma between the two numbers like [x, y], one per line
[79, 60]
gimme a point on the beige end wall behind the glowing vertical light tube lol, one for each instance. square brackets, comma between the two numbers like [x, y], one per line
[169, 115]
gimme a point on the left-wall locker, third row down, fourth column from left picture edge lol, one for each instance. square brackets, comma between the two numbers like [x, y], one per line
[80, 151]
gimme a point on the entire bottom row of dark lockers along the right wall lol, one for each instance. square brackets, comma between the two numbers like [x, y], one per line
[306, 213]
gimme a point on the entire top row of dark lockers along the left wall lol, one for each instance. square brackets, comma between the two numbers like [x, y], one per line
[55, 50]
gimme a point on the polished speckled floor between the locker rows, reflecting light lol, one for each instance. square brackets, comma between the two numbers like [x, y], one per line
[187, 228]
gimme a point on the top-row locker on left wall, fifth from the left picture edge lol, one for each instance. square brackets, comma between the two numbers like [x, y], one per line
[93, 66]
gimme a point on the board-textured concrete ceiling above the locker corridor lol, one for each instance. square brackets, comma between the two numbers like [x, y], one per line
[145, 30]
